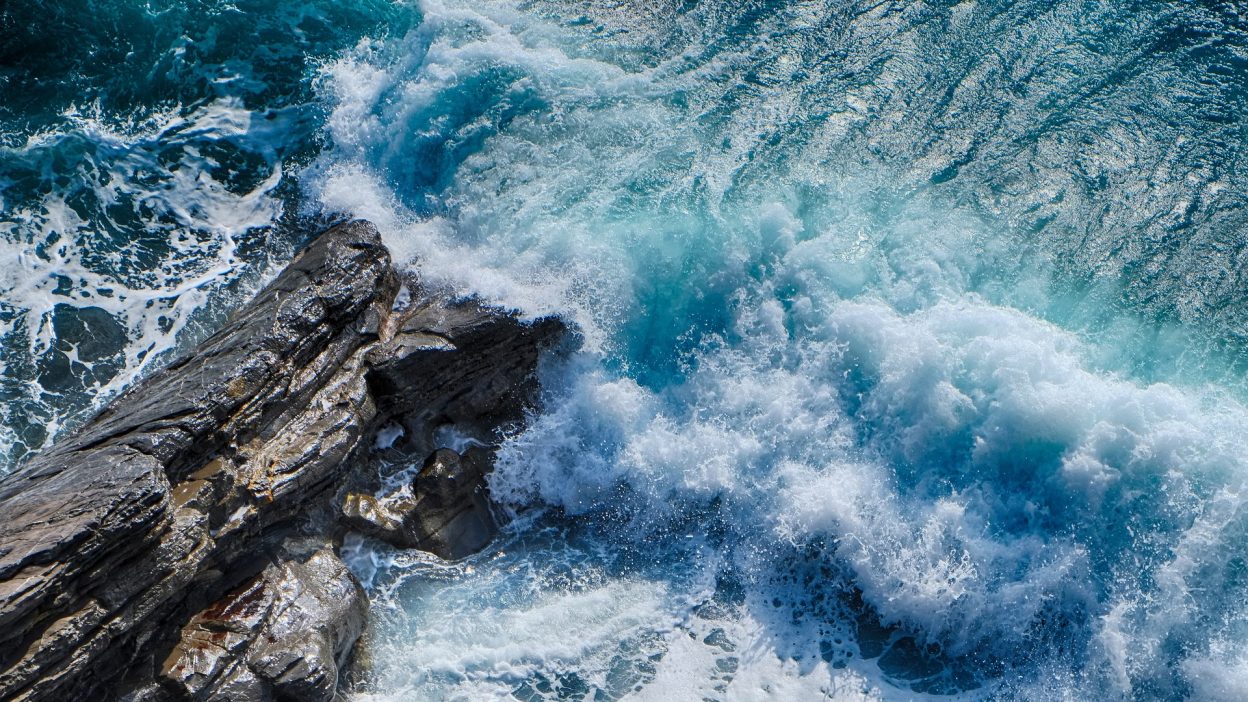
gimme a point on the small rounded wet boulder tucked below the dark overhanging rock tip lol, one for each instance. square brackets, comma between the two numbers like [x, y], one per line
[444, 510]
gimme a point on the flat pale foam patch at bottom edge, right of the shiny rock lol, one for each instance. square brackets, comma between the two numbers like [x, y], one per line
[476, 643]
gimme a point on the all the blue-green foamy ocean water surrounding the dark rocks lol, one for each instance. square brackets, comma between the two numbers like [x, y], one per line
[913, 352]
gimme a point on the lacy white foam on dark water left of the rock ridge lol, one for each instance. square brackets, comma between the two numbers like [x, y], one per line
[53, 250]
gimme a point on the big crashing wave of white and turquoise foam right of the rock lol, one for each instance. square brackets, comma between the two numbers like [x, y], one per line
[797, 350]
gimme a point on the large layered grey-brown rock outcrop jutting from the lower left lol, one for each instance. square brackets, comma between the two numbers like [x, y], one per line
[130, 540]
